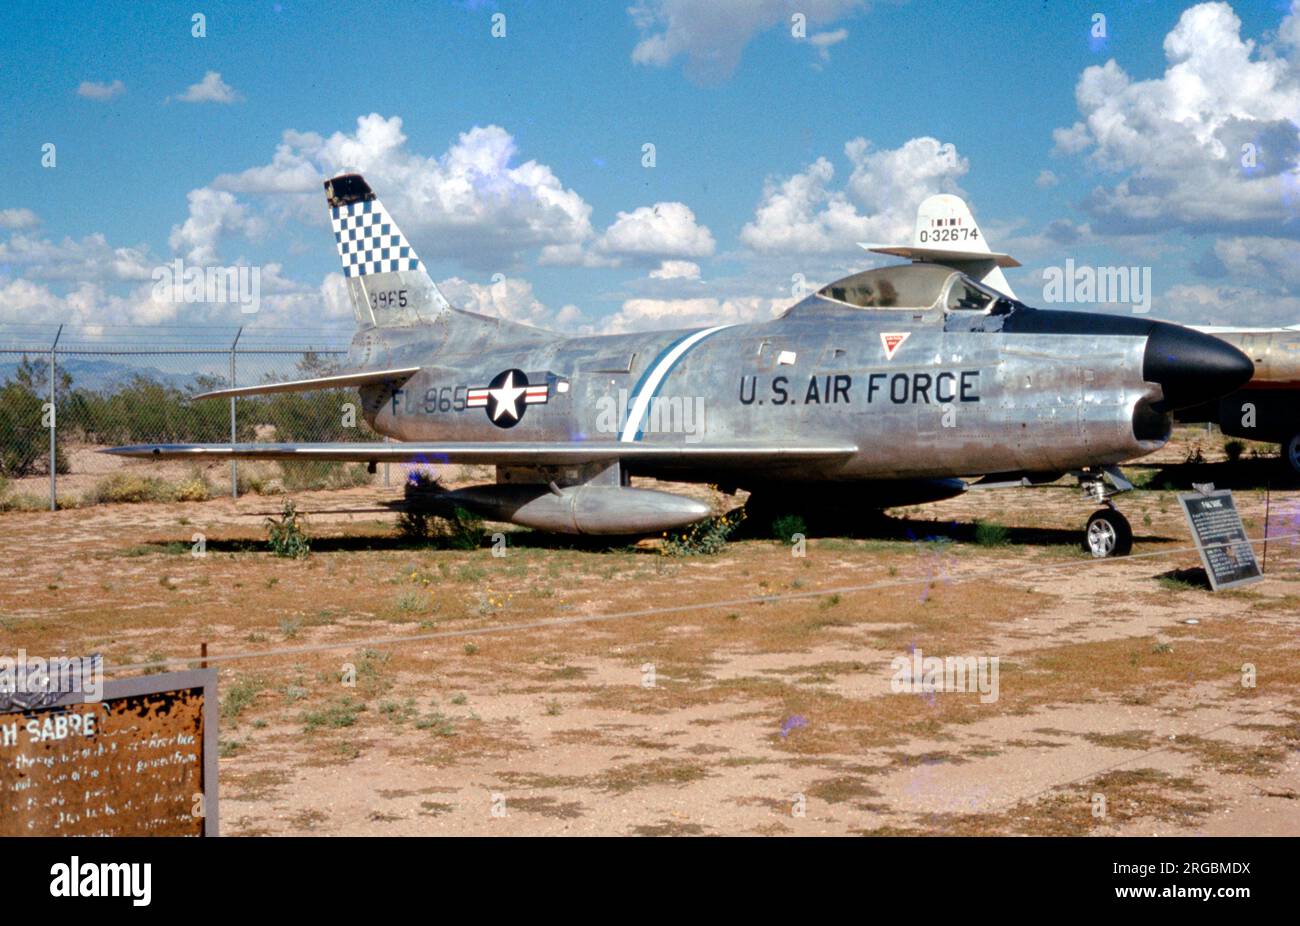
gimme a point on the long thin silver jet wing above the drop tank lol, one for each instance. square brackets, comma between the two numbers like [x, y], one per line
[518, 453]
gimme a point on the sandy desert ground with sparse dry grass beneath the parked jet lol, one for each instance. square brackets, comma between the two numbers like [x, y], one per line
[570, 689]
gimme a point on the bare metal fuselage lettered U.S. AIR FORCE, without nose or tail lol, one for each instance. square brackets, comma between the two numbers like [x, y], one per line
[961, 396]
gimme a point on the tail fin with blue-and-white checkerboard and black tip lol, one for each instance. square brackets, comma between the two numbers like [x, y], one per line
[385, 278]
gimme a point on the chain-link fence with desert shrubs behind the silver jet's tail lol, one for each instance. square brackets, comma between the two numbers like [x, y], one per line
[68, 392]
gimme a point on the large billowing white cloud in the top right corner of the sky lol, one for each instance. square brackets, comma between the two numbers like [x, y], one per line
[1212, 144]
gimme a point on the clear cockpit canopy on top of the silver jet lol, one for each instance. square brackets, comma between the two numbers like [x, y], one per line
[916, 287]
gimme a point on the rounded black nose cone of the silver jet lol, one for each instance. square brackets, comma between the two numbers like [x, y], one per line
[1193, 367]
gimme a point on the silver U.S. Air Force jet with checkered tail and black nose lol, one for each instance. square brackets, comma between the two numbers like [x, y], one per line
[892, 387]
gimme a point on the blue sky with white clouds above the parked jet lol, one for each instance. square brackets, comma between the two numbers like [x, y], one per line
[515, 163]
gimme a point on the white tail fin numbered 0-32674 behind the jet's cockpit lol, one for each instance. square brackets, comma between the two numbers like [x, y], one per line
[946, 233]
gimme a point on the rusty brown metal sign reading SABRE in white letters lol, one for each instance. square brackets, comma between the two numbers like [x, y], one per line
[140, 763]
